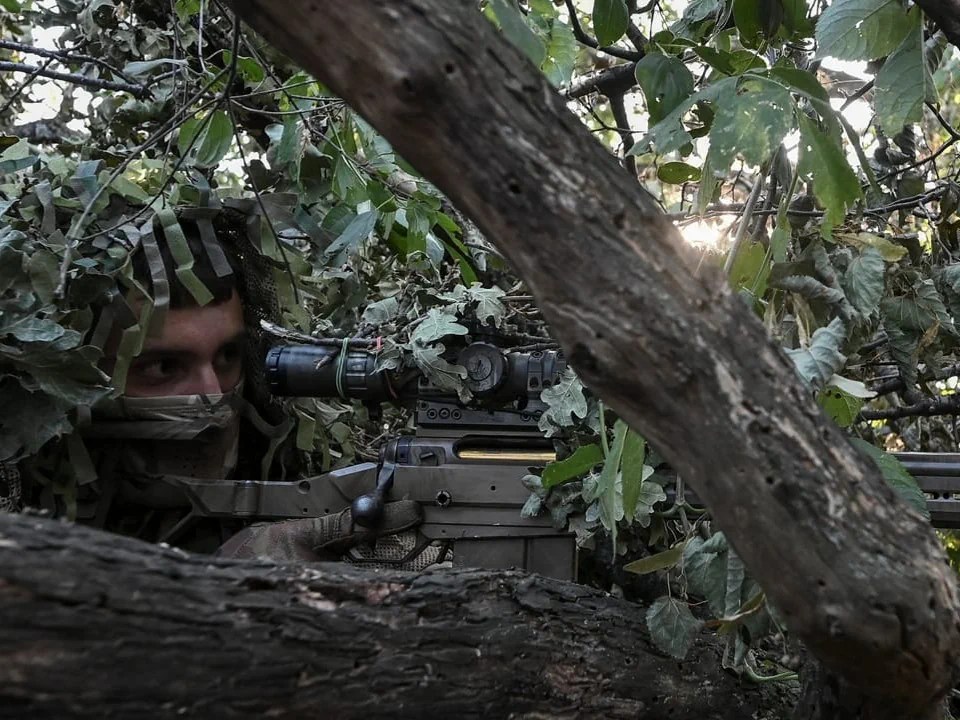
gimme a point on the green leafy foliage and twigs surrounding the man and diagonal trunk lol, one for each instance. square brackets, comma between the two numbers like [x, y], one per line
[844, 233]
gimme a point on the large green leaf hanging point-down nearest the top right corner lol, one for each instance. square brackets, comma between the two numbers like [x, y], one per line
[904, 83]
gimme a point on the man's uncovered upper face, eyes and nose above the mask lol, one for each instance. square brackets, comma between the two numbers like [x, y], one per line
[199, 351]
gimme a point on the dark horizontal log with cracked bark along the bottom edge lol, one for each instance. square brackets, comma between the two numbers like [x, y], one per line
[99, 626]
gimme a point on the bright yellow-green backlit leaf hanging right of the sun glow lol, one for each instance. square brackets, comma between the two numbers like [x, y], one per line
[823, 163]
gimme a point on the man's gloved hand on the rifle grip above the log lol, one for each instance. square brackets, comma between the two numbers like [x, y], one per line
[316, 539]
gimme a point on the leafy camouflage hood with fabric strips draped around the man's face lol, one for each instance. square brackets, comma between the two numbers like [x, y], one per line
[64, 301]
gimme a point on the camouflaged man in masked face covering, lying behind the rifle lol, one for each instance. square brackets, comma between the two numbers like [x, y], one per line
[184, 413]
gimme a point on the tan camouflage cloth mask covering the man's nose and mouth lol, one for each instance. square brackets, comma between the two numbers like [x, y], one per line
[158, 439]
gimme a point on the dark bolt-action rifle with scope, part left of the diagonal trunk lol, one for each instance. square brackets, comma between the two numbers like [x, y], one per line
[464, 463]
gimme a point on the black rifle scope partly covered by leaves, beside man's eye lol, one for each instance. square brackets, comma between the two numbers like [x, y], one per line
[322, 371]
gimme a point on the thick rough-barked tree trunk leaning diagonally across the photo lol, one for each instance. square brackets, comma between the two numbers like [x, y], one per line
[663, 341]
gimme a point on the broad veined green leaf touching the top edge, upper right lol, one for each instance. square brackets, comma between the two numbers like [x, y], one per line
[861, 29]
